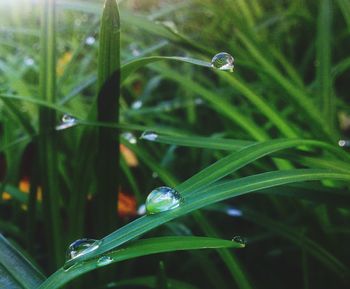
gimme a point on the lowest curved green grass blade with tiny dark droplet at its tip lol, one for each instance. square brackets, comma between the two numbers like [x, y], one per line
[137, 249]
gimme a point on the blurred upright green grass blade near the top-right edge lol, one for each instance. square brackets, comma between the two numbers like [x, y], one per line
[323, 69]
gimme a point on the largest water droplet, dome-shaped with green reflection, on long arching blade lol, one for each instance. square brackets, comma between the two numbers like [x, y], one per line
[162, 199]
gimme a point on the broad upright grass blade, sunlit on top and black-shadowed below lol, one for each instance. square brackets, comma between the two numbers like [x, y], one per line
[107, 170]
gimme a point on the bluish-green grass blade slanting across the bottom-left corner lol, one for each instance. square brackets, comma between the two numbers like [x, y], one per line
[19, 272]
